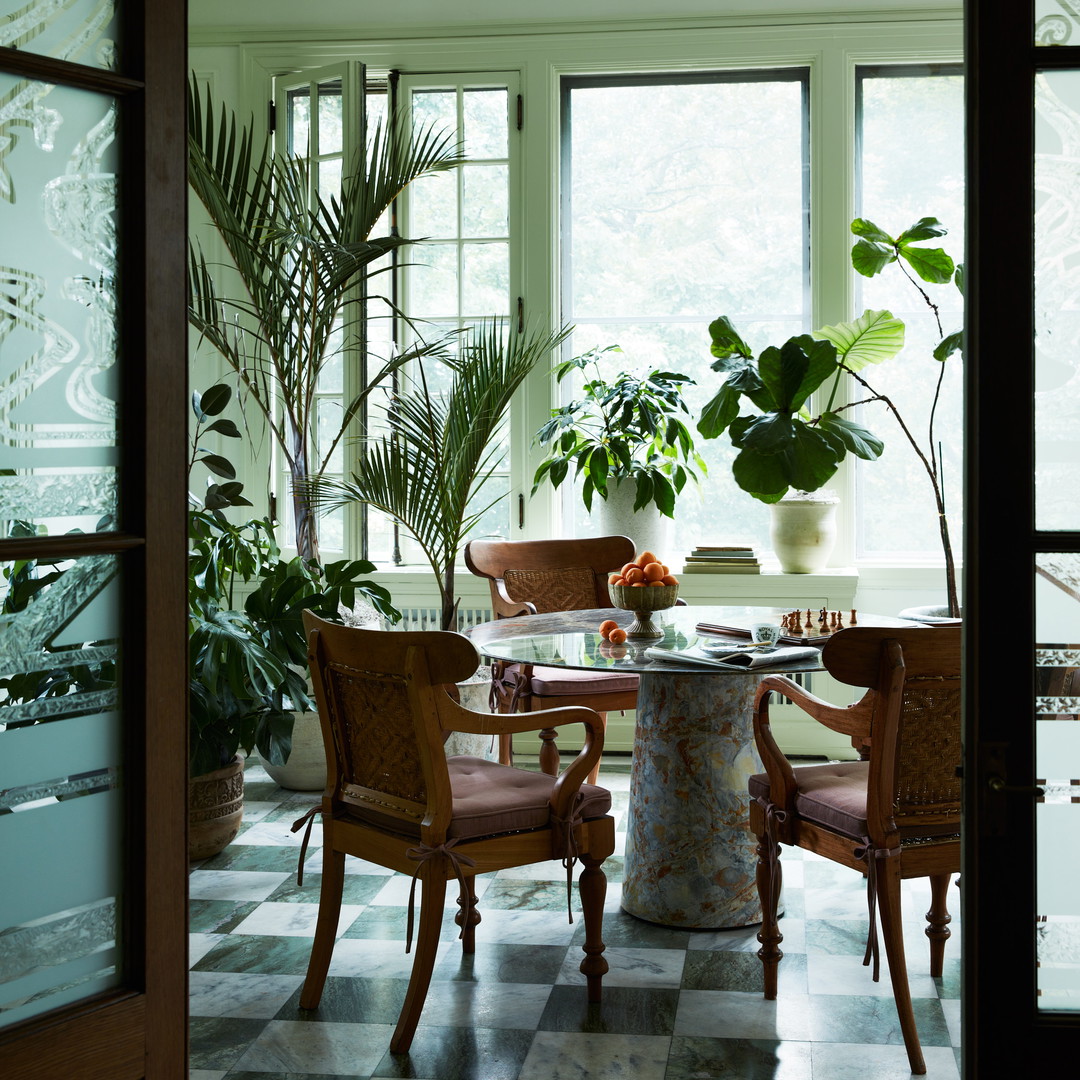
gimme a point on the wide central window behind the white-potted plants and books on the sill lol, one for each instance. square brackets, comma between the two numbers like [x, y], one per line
[686, 198]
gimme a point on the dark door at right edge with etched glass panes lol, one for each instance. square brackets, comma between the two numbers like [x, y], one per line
[1022, 597]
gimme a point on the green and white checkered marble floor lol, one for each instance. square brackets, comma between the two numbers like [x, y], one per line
[678, 1005]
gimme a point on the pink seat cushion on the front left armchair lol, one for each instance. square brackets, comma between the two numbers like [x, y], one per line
[492, 799]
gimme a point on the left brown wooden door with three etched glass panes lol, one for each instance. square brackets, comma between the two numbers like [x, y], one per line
[93, 357]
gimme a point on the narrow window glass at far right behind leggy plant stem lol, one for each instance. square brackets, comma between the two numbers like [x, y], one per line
[902, 181]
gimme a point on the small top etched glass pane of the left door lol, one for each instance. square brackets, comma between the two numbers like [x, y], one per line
[84, 32]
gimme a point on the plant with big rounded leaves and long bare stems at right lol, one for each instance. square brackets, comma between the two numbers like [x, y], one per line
[785, 445]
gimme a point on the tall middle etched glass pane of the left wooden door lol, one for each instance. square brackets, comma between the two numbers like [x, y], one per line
[59, 303]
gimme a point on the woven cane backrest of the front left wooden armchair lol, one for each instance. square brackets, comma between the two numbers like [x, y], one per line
[376, 694]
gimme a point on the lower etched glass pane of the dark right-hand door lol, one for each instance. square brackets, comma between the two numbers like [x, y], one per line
[1058, 773]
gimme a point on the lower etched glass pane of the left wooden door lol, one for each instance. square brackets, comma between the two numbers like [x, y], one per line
[61, 753]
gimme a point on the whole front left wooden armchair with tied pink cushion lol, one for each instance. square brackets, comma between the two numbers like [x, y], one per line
[395, 799]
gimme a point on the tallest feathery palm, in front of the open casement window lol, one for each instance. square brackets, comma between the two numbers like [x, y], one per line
[300, 261]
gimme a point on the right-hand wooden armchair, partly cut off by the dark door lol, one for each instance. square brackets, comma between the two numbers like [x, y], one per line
[894, 817]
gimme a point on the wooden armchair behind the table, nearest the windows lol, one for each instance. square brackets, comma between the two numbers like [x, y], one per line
[528, 577]
